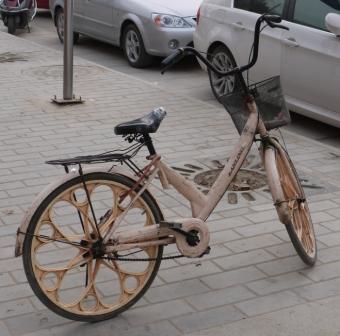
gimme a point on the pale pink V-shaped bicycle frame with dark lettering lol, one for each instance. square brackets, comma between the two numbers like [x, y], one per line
[201, 205]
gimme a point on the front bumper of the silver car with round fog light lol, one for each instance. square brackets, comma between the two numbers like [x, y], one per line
[157, 40]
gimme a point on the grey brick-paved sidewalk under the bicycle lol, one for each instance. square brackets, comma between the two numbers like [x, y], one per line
[252, 283]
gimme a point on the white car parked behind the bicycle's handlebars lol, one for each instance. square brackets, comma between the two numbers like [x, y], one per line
[307, 56]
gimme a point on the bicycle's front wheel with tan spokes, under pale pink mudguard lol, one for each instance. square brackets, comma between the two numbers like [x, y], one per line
[291, 203]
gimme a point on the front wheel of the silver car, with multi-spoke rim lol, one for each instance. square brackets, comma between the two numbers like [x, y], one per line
[134, 49]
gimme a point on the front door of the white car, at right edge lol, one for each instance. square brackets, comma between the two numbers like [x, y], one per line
[311, 60]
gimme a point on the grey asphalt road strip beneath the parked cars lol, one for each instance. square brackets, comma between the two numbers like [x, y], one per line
[185, 78]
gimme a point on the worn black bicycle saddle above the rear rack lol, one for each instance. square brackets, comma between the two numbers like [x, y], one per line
[146, 124]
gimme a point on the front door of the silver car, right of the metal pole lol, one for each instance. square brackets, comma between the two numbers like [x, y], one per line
[100, 18]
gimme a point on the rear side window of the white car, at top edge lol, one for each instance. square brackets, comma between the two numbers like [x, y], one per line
[261, 6]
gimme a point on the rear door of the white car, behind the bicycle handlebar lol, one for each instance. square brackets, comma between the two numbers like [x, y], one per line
[246, 12]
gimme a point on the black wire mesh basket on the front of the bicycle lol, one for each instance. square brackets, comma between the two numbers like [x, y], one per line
[269, 100]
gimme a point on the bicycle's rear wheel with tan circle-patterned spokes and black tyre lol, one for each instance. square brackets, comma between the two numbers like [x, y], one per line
[82, 284]
